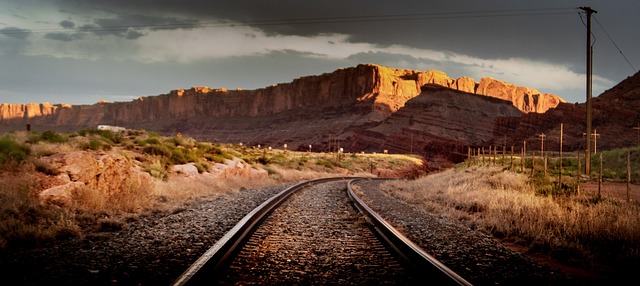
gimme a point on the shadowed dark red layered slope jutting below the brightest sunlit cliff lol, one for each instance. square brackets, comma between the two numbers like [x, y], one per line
[438, 122]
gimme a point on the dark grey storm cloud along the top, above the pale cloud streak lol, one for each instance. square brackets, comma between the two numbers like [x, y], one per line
[417, 23]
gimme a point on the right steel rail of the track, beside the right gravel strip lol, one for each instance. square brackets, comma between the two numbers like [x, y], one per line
[424, 264]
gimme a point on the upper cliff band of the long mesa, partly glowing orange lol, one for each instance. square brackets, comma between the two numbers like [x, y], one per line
[367, 88]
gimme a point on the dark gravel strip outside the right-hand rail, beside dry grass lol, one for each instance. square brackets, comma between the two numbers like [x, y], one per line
[473, 255]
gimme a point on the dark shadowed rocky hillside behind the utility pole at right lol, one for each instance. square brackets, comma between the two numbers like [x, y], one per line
[614, 115]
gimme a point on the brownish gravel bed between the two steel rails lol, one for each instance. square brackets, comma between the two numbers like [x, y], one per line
[316, 238]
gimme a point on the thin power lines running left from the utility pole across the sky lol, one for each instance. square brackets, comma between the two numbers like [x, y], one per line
[309, 21]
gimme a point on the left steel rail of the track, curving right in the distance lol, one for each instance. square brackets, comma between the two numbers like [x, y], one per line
[222, 250]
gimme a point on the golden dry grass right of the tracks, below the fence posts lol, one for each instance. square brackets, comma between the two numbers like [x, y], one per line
[504, 204]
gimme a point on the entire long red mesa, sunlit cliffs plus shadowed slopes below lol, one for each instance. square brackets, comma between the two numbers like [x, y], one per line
[342, 108]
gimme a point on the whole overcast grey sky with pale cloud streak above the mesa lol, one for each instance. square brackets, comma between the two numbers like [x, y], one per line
[80, 52]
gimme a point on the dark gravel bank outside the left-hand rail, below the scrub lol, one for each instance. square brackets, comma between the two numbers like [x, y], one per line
[152, 250]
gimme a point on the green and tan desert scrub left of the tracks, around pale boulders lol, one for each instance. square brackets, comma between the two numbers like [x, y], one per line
[27, 221]
